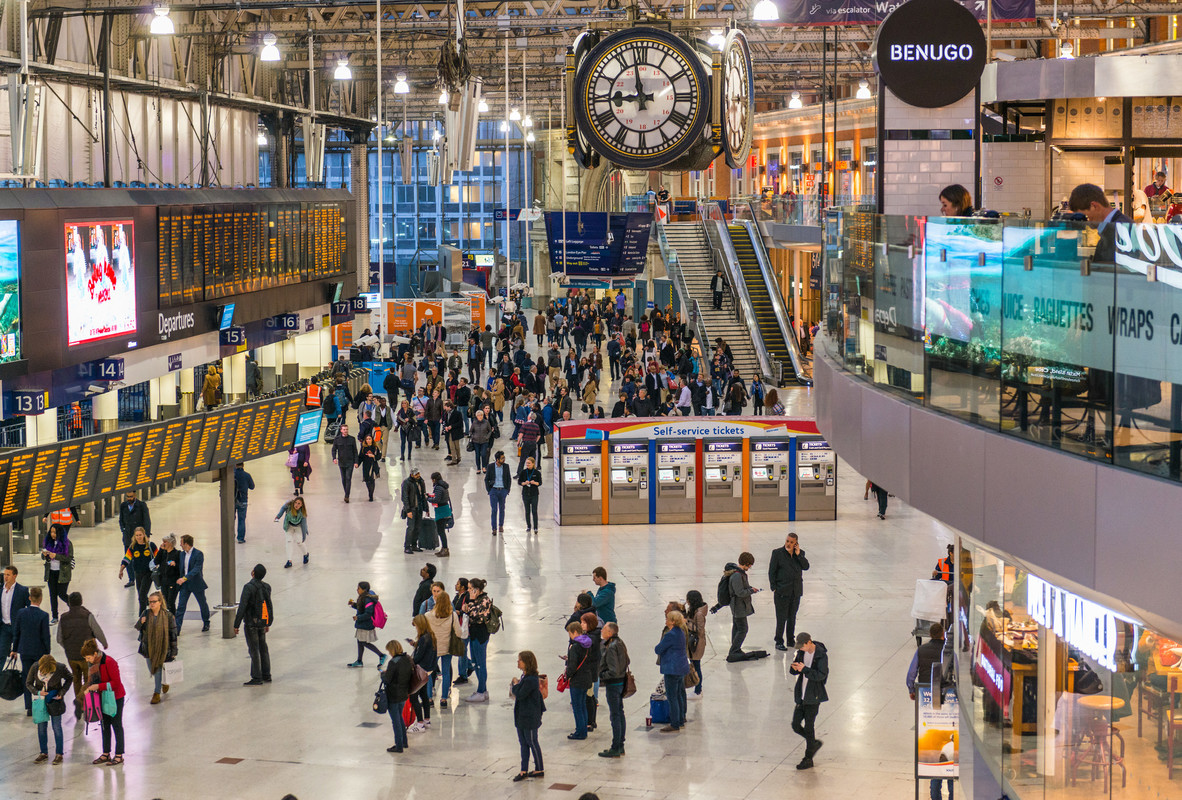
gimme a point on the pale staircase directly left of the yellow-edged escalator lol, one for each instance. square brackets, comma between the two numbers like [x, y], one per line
[697, 261]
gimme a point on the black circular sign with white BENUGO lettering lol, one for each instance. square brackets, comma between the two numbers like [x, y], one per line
[930, 54]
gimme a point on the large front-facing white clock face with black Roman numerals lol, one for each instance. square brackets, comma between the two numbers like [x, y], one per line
[641, 99]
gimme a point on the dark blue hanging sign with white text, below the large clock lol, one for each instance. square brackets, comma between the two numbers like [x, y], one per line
[599, 245]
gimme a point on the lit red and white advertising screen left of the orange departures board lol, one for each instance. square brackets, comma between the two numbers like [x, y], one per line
[101, 281]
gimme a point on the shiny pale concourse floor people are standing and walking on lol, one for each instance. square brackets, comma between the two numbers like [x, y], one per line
[313, 732]
